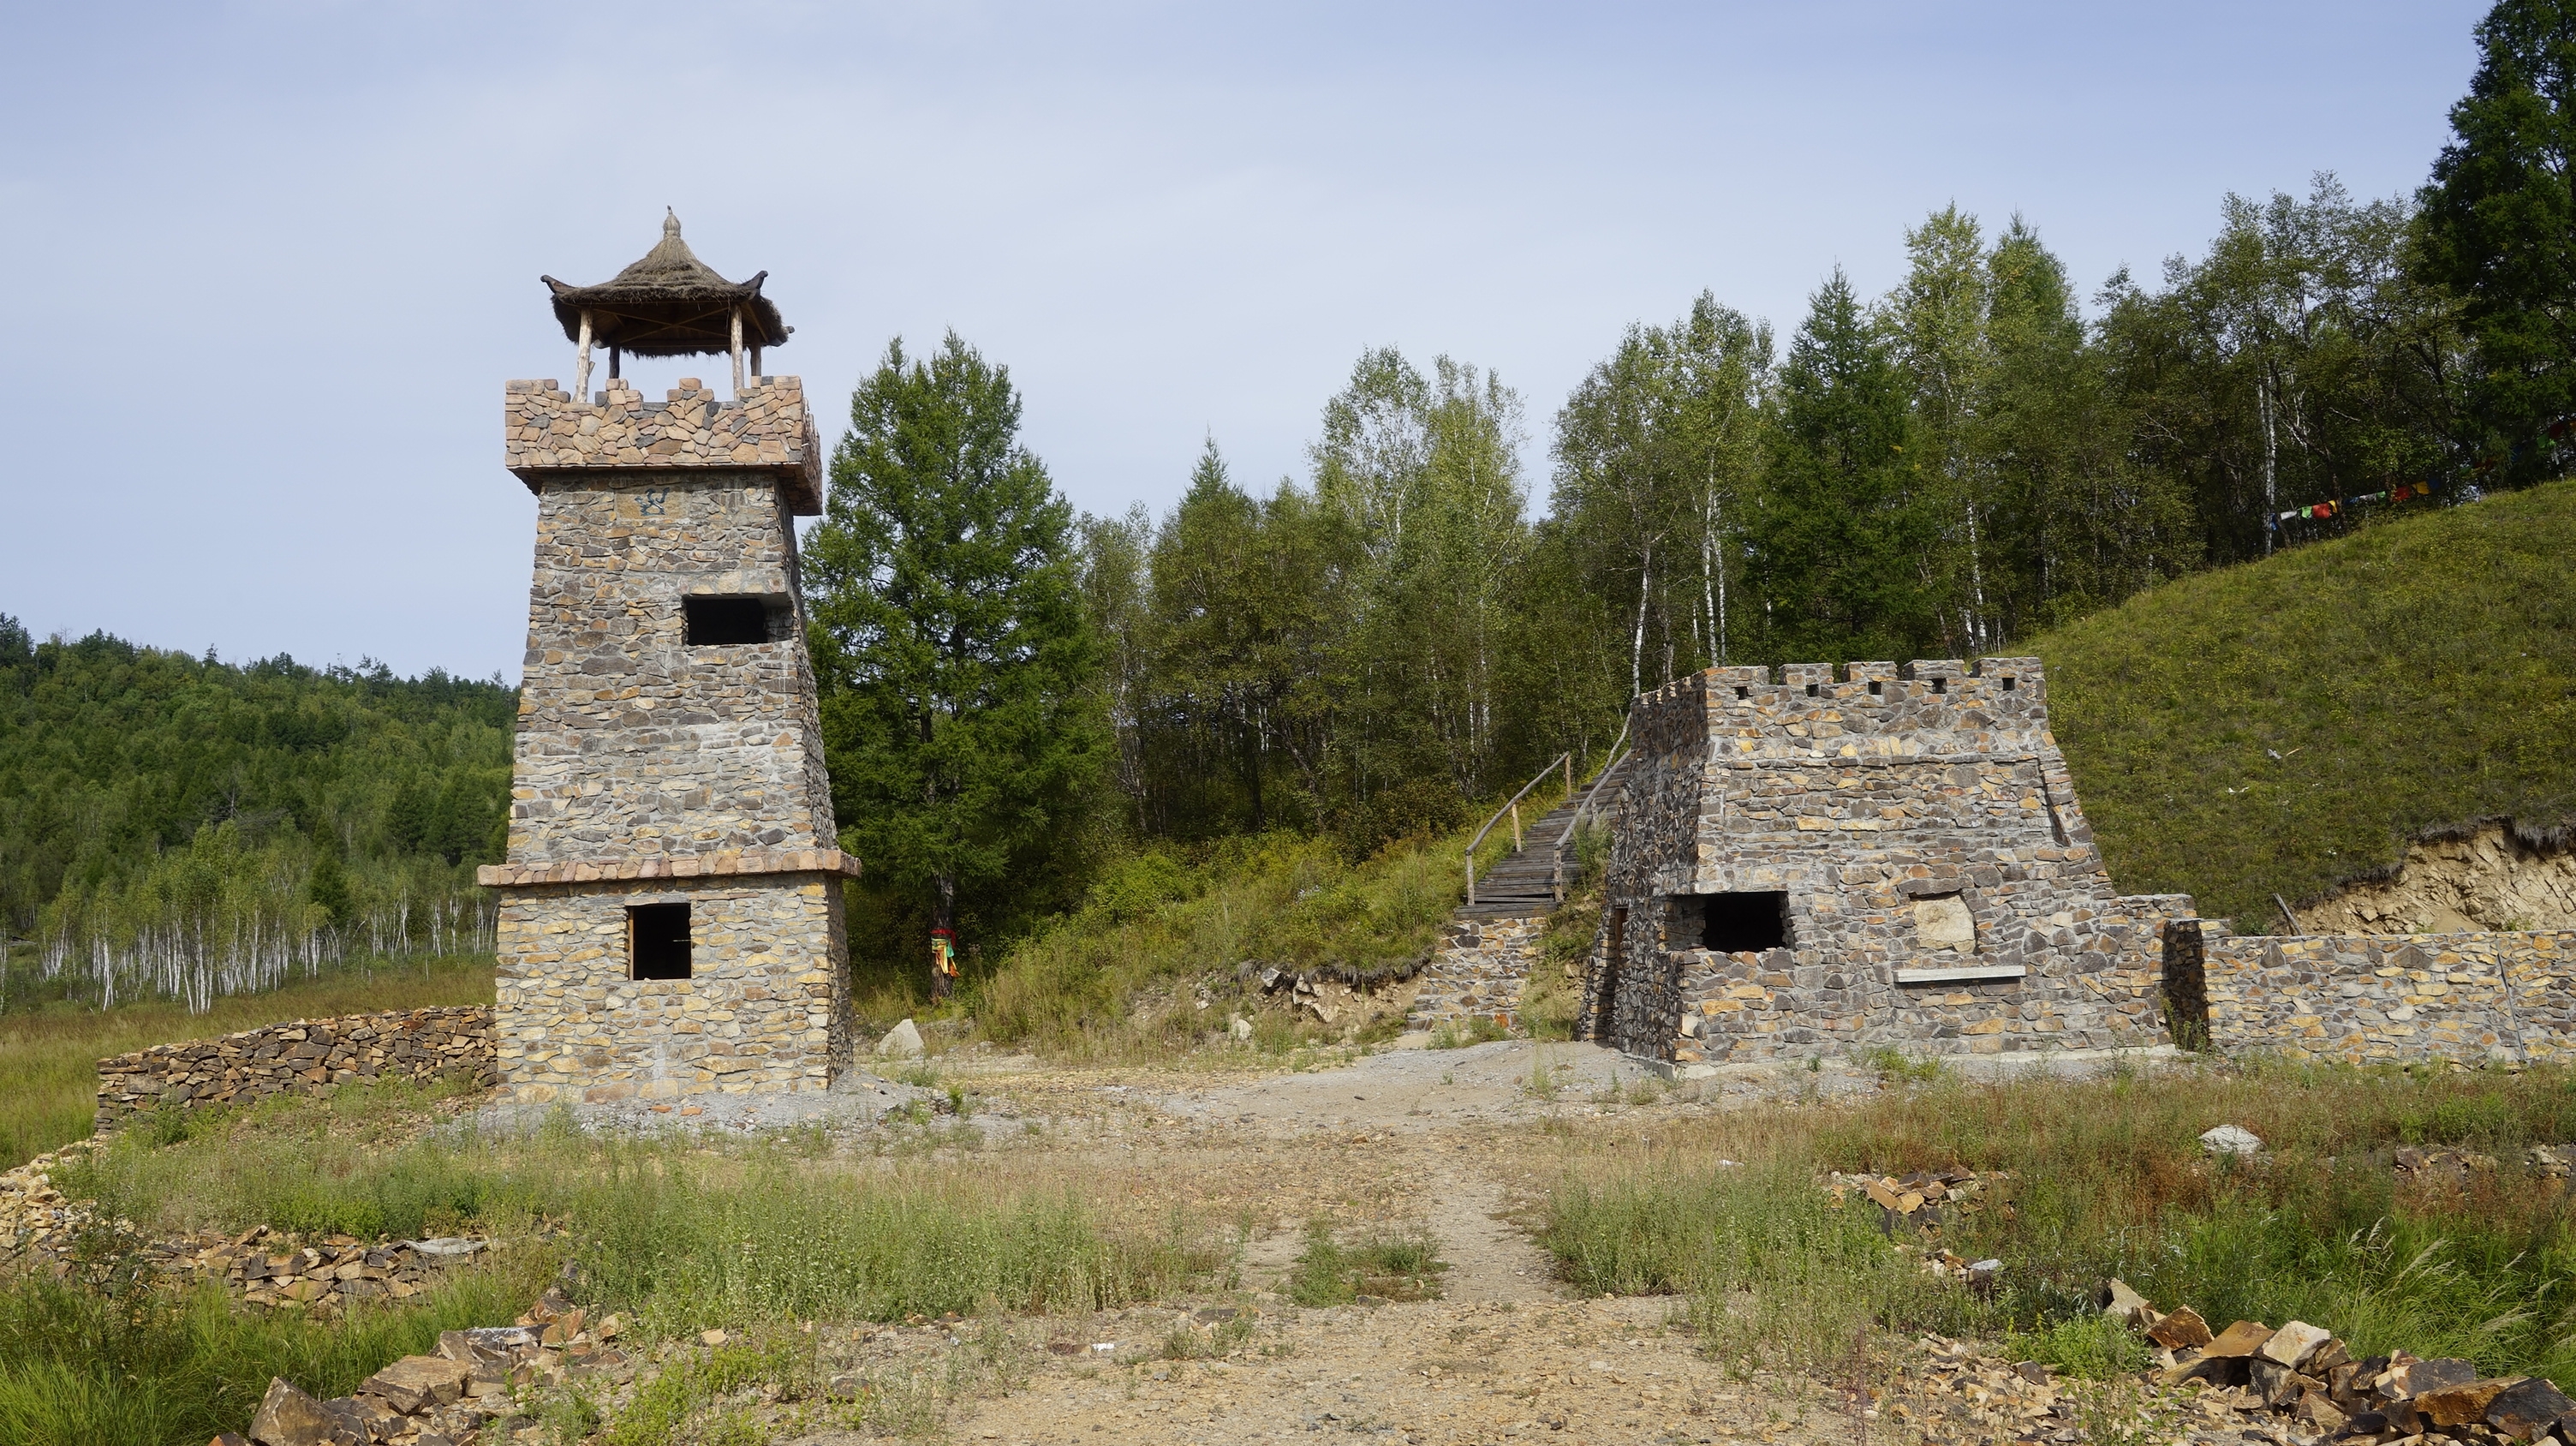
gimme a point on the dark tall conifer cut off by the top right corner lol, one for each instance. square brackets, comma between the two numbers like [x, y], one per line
[2500, 228]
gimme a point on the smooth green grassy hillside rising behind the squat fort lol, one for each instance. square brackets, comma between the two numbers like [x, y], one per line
[2291, 723]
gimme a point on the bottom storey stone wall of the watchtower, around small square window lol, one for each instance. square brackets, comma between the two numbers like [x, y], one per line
[766, 1004]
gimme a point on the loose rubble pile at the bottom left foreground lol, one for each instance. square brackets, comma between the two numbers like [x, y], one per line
[447, 1398]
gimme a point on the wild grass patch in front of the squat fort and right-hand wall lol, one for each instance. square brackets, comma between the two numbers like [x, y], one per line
[2090, 1179]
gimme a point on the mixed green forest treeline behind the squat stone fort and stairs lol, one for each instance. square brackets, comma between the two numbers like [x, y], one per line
[1933, 473]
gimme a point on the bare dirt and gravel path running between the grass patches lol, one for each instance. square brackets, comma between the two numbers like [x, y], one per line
[1405, 1135]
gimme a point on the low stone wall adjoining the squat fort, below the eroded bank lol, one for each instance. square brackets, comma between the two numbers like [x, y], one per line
[2394, 996]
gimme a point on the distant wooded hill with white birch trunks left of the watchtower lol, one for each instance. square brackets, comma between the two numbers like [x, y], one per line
[187, 829]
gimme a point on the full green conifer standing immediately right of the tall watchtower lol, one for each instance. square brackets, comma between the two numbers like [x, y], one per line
[952, 648]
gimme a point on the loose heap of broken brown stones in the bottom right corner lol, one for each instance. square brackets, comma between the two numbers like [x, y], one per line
[2309, 1388]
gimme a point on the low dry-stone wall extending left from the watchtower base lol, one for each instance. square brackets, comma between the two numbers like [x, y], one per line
[298, 1058]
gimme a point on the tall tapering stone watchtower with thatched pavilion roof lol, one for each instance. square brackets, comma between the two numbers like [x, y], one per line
[671, 916]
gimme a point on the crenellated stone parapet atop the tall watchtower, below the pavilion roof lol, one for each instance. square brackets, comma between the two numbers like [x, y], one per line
[766, 427]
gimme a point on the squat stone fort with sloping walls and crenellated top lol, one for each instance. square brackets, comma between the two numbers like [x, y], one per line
[1920, 844]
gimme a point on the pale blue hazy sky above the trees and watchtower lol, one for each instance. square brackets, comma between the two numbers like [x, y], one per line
[272, 264]
